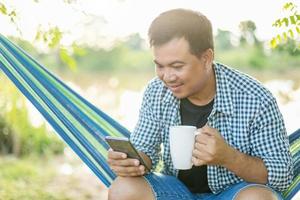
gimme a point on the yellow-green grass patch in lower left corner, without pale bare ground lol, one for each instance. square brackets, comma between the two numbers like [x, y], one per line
[25, 179]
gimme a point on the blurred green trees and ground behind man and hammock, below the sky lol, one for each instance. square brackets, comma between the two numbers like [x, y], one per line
[36, 164]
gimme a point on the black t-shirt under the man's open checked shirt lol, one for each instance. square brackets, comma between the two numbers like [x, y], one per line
[196, 177]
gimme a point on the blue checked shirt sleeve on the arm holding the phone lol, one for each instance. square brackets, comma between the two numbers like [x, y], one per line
[146, 135]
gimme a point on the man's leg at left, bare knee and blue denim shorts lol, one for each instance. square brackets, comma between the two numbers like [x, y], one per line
[152, 186]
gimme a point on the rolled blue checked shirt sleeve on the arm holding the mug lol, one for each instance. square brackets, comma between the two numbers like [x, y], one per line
[269, 142]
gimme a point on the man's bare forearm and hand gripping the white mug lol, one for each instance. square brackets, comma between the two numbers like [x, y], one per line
[211, 149]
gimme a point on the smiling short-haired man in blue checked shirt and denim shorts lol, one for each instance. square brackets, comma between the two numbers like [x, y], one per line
[242, 151]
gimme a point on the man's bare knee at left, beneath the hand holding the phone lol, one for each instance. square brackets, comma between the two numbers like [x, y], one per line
[130, 188]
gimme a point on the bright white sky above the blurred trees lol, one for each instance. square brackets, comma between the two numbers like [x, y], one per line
[102, 21]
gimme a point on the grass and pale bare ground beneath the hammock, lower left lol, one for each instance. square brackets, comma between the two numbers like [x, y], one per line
[41, 178]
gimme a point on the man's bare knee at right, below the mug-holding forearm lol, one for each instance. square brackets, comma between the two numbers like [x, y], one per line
[256, 193]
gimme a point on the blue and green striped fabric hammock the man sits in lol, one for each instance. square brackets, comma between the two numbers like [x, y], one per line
[80, 124]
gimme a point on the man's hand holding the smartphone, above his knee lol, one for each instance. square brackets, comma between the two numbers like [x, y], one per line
[123, 166]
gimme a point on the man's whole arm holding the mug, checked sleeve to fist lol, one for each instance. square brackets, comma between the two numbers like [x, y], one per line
[269, 160]
